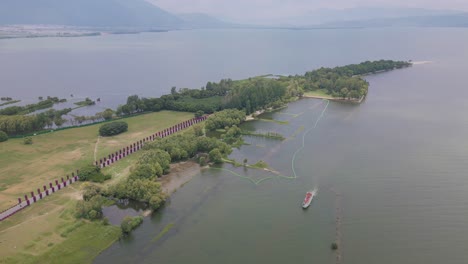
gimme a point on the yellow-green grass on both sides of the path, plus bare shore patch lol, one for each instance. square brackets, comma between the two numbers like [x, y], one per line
[47, 229]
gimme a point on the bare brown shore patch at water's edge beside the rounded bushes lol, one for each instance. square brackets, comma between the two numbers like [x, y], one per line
[180, 174]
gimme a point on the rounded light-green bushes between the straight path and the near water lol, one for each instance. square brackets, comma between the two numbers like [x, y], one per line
[141, 185]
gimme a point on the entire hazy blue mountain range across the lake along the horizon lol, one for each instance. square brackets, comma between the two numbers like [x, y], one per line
[142, 14]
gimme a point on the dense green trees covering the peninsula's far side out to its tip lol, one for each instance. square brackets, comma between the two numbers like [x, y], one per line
[258, 93]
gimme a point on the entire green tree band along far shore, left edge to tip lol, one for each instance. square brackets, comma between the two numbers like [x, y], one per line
[248, 95]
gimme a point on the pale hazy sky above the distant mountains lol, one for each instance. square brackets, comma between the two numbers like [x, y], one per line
[265, 10]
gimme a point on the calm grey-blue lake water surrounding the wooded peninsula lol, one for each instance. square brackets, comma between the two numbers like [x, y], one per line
[398, 161]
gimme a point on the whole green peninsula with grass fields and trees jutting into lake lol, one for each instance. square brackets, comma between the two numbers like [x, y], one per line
[70, 219]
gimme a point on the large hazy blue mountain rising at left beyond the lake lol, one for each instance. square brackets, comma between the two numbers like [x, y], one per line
[87, 13]
